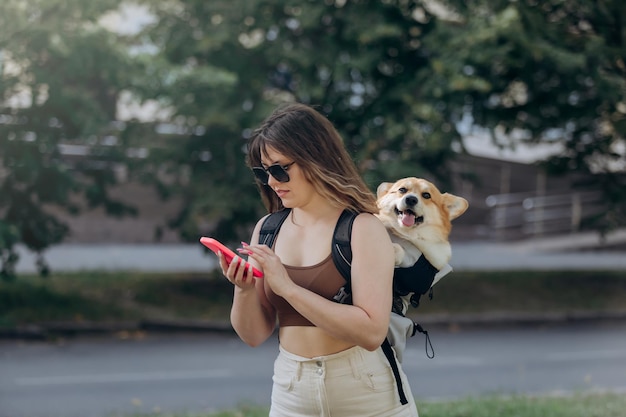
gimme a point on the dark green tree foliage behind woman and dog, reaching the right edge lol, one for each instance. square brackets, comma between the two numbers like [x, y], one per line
[396, 77]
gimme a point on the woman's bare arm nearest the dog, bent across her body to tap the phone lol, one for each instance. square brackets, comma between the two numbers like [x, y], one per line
[366, 321]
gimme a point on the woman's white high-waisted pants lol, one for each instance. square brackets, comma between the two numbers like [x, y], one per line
[352, 383]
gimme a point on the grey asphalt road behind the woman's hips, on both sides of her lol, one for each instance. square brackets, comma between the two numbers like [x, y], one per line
[200, 373]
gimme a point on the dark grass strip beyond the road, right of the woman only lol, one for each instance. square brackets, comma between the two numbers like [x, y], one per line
[527, 292]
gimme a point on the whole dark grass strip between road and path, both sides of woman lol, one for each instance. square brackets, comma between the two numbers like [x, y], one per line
[113, 296]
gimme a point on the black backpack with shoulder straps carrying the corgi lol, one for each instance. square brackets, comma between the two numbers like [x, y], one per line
[342, 257]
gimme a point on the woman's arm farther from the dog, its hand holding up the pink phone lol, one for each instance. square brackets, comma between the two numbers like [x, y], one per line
[251, 315]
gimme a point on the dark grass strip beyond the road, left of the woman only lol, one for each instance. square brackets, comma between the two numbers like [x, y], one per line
[108, 297]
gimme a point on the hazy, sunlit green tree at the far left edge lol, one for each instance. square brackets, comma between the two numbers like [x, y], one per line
[60, 76]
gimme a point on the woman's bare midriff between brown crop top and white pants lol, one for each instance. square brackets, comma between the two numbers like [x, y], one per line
[310, 342]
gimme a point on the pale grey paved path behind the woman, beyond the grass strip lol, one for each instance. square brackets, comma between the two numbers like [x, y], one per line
[572, 252]
